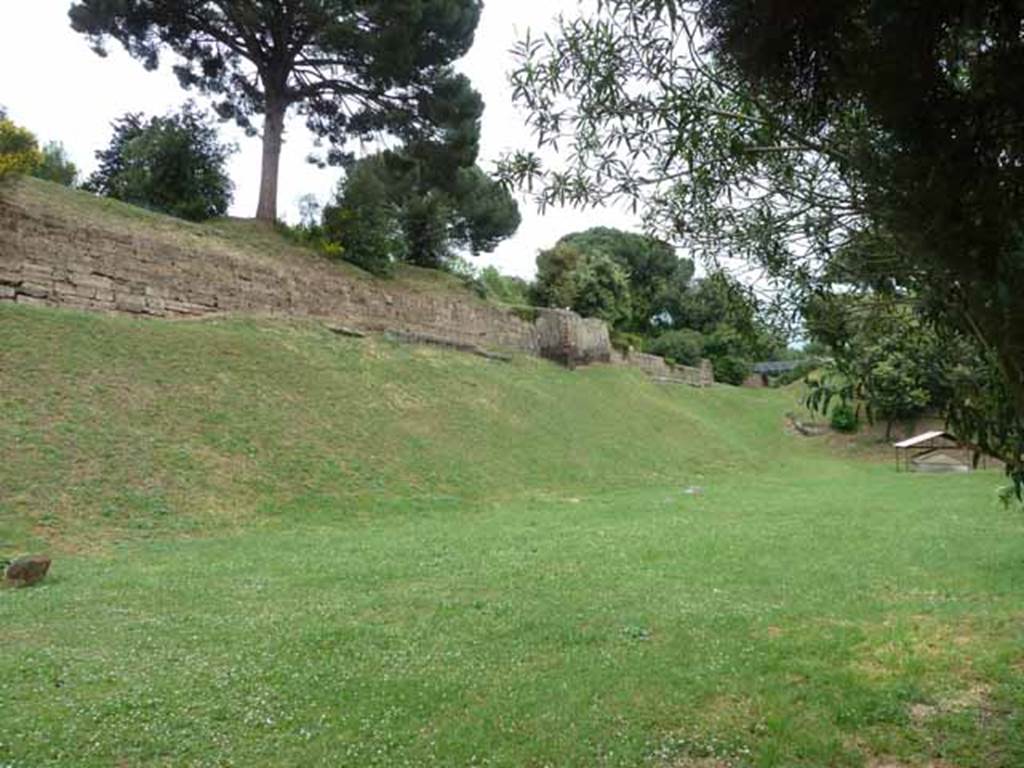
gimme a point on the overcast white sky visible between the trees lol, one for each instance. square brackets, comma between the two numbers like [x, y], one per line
[71, 95]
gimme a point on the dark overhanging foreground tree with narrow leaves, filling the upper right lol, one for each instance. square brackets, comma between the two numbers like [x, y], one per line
[782, 132]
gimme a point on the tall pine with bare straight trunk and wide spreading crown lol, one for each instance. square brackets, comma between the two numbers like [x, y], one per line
[353, 68]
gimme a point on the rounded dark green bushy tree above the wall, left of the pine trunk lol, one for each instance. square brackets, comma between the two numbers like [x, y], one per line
[174, 164]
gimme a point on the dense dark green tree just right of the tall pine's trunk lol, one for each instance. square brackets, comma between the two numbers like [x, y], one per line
[428, 199]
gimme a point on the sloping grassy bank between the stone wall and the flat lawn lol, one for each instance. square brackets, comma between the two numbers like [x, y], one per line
[114, 426]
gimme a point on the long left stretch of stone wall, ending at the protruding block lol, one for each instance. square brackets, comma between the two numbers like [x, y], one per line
[47, 261]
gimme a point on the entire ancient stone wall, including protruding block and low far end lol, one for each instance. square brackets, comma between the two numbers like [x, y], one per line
[165, 269]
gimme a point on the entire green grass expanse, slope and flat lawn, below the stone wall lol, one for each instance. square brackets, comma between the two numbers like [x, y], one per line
[274, 547]
